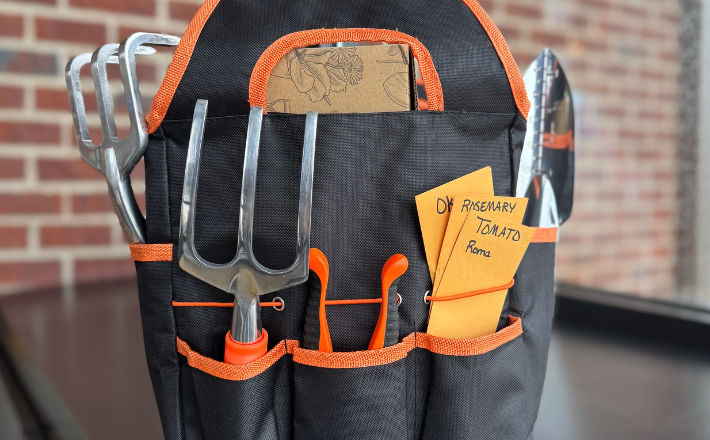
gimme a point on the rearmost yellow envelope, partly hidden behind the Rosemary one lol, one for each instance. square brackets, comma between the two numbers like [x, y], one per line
[435, 205]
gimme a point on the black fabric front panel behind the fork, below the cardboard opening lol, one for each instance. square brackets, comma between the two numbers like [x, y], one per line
[368, 169]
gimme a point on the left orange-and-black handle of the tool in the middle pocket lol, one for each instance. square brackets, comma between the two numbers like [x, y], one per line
[316, 335]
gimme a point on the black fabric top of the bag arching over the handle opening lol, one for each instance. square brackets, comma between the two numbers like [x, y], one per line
[471, 73]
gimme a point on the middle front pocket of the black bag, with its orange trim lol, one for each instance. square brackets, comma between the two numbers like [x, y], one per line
[352, 395]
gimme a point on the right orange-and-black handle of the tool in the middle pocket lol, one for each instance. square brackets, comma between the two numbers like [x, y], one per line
[387, 330]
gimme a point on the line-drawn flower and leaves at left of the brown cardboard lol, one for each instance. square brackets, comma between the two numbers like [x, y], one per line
[318, 72]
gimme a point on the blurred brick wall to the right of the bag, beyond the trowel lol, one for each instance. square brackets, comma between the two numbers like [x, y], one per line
[622, 59]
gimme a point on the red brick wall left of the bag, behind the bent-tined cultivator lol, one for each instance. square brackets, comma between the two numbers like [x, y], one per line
[57, 226]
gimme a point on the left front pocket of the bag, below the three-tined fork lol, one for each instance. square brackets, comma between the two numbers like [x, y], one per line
[251, 401]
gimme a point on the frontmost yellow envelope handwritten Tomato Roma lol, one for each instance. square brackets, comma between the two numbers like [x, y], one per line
[486, 255]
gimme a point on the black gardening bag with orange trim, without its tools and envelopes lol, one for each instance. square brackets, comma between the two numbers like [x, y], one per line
[368, 169]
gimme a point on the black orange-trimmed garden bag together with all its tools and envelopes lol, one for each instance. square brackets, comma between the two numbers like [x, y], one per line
[360, 363]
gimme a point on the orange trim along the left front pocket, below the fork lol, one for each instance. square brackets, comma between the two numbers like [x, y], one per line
[234, 372]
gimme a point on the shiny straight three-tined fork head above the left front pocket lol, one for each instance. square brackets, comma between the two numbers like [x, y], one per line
[244, 276]
